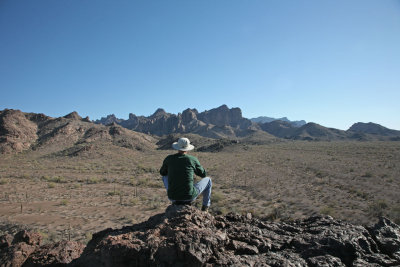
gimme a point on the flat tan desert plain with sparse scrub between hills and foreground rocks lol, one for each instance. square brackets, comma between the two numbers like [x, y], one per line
[74, 197]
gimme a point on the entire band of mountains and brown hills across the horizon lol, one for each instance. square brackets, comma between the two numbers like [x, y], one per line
[73, 134]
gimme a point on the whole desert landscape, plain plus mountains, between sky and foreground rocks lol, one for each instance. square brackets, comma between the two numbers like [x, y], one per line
[69, 177]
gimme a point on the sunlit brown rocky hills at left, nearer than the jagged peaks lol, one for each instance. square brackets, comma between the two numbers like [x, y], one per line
[69, 135]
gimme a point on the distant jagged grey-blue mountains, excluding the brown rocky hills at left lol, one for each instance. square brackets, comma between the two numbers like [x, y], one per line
[223, 122]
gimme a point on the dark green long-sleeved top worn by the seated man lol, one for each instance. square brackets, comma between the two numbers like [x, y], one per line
[180, 169]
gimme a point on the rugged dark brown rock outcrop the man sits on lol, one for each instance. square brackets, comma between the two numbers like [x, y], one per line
[185, 236]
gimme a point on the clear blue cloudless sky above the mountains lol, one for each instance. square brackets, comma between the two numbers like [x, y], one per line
[332, 62]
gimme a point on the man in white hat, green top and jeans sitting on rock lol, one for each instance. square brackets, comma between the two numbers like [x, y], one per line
[178, 171]
